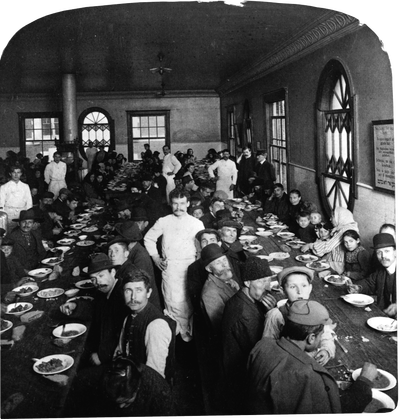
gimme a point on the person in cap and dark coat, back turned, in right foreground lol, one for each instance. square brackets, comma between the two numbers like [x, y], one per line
[284, 380]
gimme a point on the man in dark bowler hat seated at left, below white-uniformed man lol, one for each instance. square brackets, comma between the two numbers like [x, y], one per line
[28, 246]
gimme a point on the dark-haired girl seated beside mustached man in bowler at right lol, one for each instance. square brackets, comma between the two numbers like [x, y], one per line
[357, 262]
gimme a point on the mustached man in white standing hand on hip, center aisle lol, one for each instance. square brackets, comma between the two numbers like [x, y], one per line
[178, 231]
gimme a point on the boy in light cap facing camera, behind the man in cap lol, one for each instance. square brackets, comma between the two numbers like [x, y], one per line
[296, 284]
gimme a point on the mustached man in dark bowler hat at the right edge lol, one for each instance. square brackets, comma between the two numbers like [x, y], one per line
[384, 283]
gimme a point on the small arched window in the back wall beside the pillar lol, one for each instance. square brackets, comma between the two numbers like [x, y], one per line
[96, 125]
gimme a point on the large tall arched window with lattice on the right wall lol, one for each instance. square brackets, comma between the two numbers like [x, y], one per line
[335, 138]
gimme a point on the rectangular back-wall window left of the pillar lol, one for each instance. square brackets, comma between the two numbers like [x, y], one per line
[38, 132]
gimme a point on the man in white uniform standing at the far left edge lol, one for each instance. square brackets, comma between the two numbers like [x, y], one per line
[15, 196]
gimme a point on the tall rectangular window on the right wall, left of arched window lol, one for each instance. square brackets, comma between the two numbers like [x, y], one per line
[277, 144]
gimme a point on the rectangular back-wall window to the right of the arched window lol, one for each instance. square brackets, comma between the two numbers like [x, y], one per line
[147, 127]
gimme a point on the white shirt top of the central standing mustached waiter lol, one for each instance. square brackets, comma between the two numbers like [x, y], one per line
[179, 233]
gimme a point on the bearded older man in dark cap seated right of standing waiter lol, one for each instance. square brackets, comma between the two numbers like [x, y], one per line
[220, 285]
